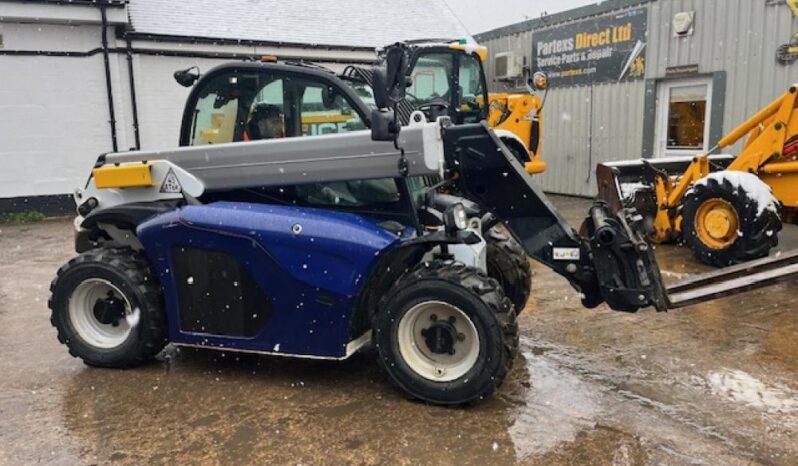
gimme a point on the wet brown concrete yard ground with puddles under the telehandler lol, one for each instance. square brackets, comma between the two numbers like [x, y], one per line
[710, 384]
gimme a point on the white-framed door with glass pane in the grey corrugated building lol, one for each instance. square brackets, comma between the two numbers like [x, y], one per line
[683, 117]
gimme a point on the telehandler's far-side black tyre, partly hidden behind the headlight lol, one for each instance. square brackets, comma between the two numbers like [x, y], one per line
[509, 265]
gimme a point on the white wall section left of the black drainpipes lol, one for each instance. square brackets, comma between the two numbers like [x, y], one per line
[53, 110]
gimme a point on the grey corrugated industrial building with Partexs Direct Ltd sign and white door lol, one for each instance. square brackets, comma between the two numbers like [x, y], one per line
[645, 78]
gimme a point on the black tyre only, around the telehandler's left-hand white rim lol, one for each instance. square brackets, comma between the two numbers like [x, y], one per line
[128, 272]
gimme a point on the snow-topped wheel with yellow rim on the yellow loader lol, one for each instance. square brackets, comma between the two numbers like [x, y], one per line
[730, 217]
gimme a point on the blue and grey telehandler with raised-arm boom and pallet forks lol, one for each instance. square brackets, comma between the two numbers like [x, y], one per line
[299, 247]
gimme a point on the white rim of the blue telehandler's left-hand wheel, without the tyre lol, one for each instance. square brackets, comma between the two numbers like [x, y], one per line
[86, 324]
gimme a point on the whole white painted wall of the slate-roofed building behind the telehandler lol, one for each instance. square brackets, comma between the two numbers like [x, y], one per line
[54, 118]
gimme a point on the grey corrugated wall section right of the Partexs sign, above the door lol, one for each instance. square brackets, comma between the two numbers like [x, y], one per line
[736, 36]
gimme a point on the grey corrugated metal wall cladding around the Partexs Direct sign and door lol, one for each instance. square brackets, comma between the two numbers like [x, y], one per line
[739, 37]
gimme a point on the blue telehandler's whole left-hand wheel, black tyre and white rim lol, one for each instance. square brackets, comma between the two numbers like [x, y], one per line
[108, 308]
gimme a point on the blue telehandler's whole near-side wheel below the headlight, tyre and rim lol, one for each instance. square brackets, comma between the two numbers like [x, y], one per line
[446, 334]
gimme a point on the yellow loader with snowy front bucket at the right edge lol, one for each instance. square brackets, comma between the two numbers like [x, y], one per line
[727, 209]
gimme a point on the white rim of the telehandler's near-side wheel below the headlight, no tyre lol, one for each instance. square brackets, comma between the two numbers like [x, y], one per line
[438, 367]
